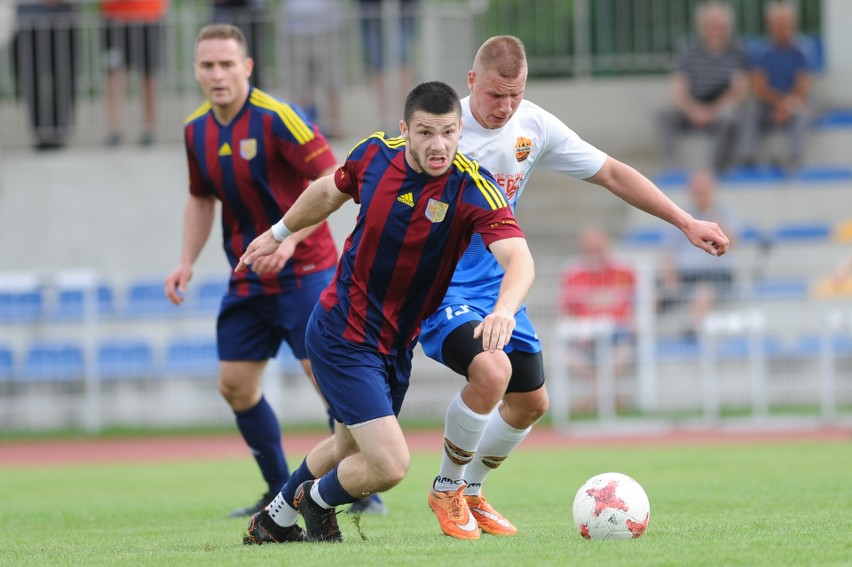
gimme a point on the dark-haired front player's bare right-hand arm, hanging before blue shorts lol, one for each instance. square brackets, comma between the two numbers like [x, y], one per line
[514, 256]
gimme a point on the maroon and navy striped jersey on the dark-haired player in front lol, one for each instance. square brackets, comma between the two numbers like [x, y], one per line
[410, 232]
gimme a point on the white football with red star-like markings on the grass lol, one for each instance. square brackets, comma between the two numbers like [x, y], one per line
[611, 506]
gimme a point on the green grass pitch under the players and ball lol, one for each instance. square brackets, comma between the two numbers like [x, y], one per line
[750, 504]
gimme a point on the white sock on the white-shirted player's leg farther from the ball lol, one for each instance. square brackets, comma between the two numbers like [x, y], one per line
[463, 429]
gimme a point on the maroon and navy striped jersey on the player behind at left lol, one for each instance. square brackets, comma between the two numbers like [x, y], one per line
[257, 166]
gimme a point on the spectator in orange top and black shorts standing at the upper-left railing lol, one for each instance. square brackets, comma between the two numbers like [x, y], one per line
[133, 39]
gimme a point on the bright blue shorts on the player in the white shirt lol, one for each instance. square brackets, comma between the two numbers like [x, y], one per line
[455, 311]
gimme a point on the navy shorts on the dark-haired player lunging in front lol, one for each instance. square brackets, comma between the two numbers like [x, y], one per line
[358, 383]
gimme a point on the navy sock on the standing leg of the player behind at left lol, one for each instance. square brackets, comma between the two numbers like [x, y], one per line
[262, 434]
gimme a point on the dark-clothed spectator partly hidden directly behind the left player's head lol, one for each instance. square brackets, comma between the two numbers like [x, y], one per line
[250, 16]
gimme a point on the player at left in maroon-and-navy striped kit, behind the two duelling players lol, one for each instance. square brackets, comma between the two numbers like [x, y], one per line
[255, 155]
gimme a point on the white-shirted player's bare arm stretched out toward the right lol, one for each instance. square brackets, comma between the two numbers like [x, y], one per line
[637, 190]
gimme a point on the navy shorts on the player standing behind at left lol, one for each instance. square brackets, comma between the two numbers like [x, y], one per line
[253, 328]
